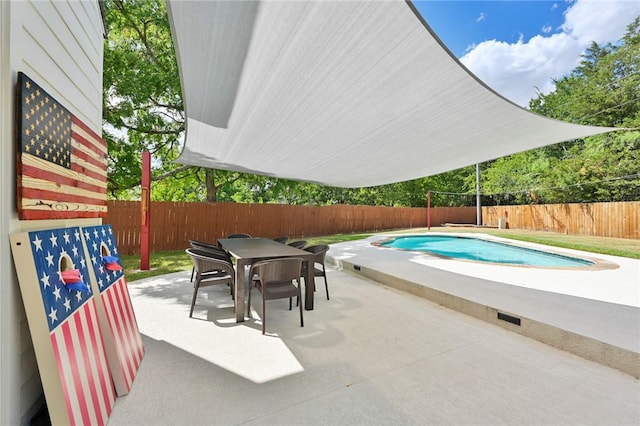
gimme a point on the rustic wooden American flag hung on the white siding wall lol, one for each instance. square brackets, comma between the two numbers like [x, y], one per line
[61, 163]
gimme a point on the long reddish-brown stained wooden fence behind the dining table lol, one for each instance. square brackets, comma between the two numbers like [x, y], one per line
[173, 224]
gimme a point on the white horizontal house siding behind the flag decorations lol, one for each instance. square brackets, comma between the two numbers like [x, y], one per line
[59, 44]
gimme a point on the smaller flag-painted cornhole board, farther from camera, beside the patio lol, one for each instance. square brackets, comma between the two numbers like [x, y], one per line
[119, 326]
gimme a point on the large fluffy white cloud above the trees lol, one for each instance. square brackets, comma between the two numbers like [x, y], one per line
[515, 70]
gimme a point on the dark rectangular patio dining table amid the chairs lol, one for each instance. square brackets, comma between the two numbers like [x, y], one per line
[249, 250]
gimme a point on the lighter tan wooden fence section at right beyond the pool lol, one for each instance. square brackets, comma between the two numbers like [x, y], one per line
[617, 220]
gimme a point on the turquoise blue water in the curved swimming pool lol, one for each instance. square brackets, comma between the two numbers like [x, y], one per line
[483, 251]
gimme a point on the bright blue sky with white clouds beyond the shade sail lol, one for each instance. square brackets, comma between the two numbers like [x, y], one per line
[517, 47]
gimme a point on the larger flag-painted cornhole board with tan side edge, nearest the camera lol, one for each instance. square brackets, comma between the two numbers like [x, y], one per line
[64, 324]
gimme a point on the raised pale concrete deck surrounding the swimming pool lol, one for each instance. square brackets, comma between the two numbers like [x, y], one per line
[592, 313]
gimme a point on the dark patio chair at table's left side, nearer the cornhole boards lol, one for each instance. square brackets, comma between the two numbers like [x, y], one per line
[209, 271]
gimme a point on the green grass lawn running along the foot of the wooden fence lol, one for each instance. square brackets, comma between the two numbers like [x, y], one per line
[173, 261]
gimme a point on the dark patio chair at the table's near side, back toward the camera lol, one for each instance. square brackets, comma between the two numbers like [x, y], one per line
[276, 279]
